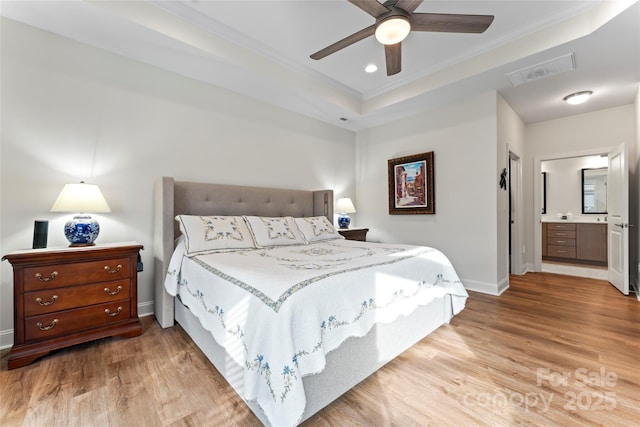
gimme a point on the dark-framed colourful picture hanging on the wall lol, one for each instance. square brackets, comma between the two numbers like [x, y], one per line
[411, 185]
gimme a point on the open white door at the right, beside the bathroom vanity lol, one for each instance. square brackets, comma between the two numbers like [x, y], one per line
[618, 218]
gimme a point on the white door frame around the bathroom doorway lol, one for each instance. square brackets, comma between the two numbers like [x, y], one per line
[537, 191]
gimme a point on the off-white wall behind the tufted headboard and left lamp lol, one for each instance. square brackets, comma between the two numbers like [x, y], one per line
[71, 112]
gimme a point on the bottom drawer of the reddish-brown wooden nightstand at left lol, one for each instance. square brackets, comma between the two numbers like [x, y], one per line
[55, 324]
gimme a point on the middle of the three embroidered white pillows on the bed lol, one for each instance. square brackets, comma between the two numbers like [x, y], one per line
[275, 231]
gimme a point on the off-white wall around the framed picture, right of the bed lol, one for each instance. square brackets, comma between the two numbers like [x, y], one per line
[463, 139]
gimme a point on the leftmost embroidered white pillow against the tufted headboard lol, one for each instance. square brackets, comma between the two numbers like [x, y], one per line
[205, 234]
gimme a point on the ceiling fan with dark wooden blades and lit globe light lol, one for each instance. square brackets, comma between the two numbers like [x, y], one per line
[395, 19]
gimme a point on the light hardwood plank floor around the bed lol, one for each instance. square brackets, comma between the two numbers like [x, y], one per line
[552, 350]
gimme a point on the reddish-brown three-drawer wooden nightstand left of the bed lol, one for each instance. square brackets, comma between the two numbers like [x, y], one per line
[67, 296]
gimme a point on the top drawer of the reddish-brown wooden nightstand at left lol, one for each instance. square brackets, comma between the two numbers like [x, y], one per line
[57, 275]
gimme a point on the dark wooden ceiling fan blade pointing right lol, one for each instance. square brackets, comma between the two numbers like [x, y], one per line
[450, 23]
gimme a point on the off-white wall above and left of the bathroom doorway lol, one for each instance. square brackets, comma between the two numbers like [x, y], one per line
[589, 133]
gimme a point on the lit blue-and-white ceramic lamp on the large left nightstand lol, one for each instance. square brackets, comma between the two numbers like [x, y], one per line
[81, 230]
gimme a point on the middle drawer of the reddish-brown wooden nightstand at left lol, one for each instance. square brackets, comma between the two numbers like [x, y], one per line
[50, 300]
